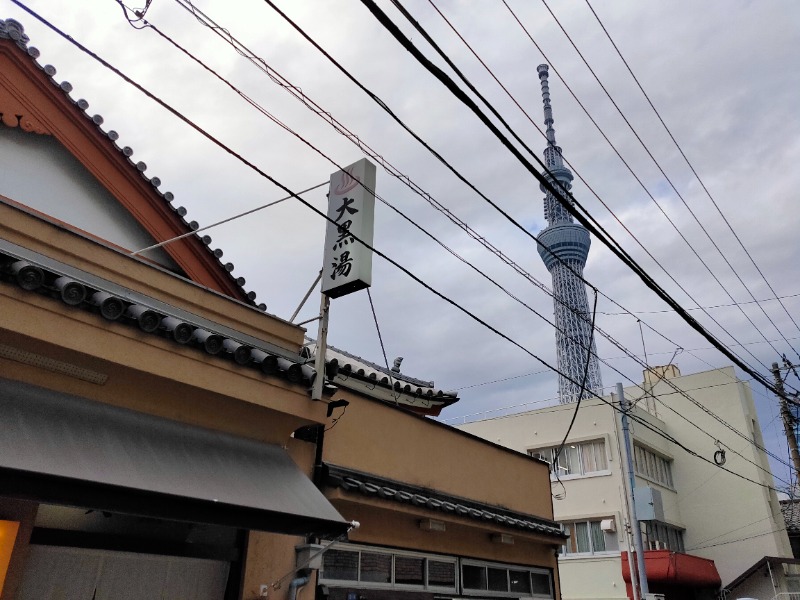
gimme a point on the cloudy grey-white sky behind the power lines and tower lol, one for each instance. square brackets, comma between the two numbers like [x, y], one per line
[723, 75]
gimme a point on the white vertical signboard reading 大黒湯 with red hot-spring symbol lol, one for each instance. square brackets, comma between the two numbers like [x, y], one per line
[347, 264]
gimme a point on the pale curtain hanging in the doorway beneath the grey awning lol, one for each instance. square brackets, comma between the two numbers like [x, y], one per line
[56, 573]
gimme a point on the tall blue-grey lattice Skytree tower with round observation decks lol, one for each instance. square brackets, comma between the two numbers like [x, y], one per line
[564, 246]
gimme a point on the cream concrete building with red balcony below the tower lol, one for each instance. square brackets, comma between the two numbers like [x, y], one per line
[698, 512]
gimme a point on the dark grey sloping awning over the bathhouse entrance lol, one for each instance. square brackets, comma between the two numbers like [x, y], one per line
[59, 448]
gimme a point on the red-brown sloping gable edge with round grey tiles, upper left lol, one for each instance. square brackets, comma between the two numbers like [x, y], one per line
[31, 100]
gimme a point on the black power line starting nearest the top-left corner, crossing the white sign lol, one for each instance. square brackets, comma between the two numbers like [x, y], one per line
[263, 174]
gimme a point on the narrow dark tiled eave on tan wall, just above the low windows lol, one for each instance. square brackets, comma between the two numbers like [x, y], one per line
[366, 484]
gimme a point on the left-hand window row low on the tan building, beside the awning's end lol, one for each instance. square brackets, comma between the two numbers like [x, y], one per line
[388, 569]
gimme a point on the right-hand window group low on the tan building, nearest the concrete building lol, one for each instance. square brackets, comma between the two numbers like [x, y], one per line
[489, 579]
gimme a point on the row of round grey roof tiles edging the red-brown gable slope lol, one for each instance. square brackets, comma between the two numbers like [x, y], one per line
[12, 30]
